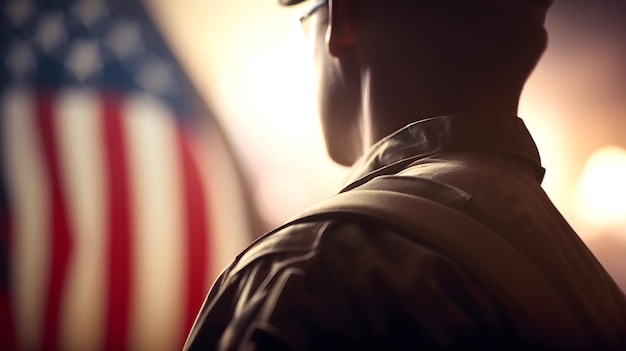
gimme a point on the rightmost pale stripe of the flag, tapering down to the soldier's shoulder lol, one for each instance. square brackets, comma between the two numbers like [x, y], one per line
[230, 223]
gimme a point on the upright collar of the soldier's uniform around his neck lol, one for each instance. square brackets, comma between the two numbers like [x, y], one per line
[505, 135]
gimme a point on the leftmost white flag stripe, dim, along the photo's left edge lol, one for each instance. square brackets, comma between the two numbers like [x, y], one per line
[29, 196]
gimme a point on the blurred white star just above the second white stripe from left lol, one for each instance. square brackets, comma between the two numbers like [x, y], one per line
[84, 59]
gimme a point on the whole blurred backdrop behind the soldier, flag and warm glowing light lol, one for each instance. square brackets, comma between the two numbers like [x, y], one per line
[144, 144]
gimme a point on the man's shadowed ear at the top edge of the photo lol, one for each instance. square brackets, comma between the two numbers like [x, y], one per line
[341, 36]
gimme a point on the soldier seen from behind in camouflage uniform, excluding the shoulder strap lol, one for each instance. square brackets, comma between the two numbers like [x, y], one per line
[426, 91]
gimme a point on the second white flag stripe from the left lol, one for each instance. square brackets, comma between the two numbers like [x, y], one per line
[79, 134]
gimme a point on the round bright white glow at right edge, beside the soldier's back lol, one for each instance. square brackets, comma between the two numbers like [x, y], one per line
[601, 193]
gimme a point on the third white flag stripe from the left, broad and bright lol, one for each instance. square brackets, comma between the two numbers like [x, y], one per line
[157, 303]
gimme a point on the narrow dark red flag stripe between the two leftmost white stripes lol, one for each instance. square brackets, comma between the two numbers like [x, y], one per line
[60, 231]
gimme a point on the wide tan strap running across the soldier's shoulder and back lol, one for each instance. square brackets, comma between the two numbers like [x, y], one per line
[540, 313]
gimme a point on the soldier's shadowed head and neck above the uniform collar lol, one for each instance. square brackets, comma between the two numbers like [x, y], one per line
[382, 64]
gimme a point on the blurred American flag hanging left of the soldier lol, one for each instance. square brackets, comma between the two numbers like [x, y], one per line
[119, 200]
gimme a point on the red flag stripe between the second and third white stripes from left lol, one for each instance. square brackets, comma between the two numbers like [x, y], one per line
[119, 273]
